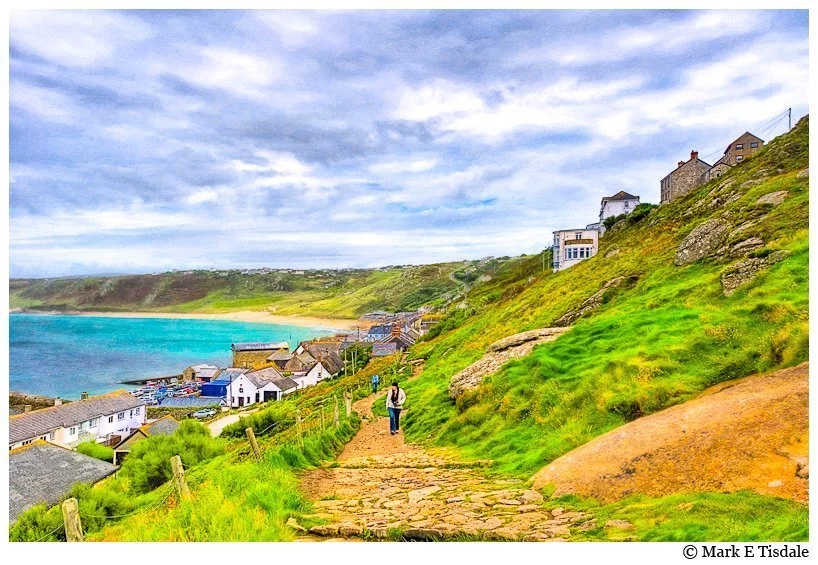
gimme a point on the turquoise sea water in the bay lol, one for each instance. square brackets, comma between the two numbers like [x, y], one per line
[64, 355]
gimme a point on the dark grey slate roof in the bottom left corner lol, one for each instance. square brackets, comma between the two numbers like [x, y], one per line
[44, 472]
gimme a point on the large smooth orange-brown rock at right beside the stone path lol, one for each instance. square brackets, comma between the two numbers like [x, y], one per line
[750, 433]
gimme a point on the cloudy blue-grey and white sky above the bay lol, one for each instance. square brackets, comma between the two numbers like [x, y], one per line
[146, 141]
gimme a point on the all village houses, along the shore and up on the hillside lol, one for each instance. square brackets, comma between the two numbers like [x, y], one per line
[43, 460]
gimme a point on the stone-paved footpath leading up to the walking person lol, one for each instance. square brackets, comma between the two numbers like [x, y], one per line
[380, 483]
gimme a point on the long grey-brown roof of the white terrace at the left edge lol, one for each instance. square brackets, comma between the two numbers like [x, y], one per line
[39, 422]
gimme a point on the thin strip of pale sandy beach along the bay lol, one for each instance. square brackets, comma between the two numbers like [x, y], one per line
[331, 324]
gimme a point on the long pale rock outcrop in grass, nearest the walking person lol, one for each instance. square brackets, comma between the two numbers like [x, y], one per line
[499, 352]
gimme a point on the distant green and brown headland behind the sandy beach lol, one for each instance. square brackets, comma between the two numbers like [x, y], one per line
[339, 294]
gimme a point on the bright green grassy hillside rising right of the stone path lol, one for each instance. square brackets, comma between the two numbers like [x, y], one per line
[657, 343]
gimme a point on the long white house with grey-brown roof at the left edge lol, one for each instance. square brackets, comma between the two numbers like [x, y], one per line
[102, 418]
